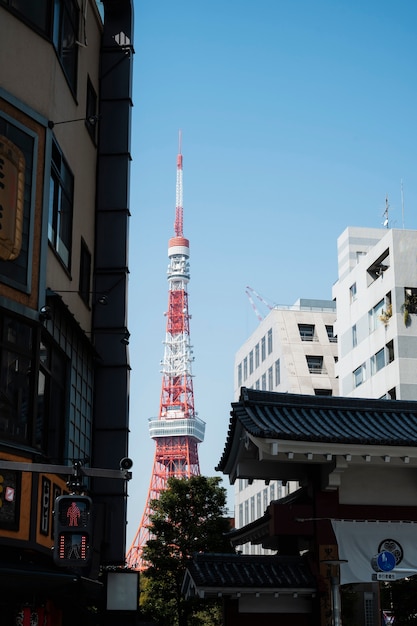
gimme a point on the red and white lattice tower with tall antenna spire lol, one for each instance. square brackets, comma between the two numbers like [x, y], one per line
[177, 431]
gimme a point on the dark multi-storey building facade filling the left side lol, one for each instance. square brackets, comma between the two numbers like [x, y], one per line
[65, 126]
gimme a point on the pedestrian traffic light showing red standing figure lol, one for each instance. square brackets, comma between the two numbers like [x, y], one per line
[73, 531]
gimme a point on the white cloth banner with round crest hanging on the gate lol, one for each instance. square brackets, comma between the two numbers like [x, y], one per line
[376, 550]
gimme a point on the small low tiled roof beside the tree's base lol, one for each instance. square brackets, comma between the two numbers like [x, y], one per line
[250, 572]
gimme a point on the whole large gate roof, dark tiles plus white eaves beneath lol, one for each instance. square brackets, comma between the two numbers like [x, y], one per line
[266, 426]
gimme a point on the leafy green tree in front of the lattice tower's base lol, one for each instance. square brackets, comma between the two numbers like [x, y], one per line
[188, 517]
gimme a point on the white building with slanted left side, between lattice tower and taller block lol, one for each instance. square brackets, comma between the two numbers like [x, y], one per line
[293, 350]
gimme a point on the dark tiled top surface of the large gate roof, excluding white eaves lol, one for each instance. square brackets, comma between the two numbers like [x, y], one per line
[323, 419]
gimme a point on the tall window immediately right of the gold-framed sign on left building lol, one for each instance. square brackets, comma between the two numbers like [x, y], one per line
[61, 194]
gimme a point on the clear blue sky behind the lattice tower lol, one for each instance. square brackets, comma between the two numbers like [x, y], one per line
[298, 118]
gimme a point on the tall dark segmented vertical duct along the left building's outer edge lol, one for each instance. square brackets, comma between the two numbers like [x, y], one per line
[110, 330]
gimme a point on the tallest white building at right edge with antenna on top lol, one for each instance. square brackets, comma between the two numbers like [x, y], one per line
[376, 297]
